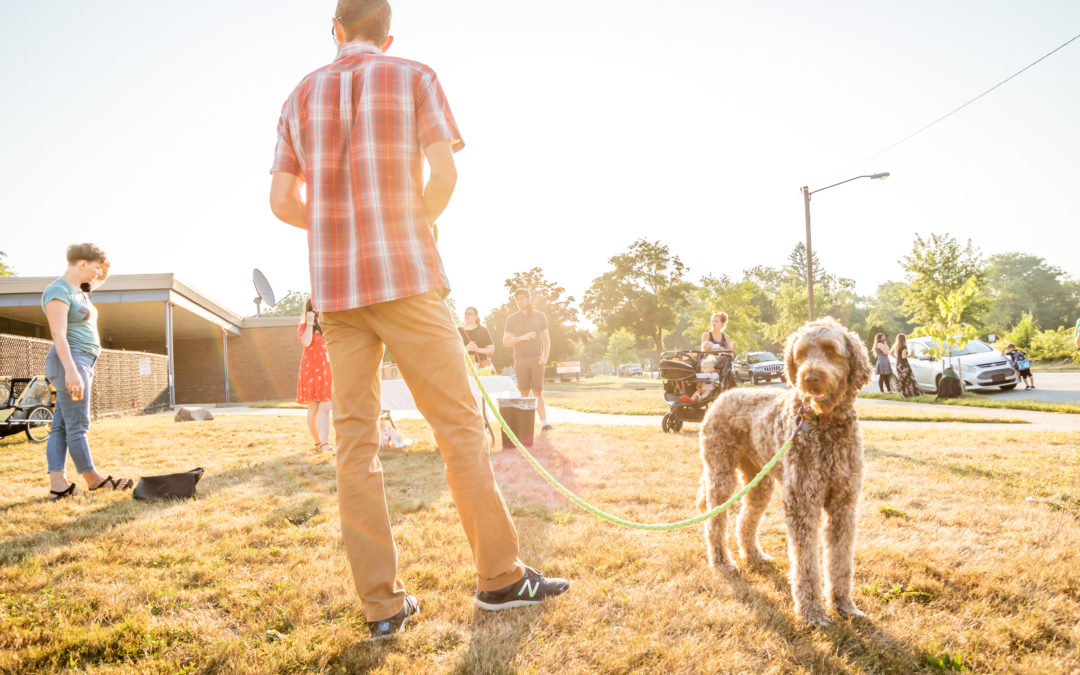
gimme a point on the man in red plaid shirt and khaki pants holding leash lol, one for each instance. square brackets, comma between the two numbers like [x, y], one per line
[356, 133]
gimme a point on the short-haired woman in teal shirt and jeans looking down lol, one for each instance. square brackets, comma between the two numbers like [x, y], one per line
[70, 368]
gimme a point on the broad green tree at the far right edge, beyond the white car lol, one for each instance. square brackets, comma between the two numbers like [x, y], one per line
[1019, 283]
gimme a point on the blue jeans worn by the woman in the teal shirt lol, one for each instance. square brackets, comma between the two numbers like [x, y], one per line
[72, 418]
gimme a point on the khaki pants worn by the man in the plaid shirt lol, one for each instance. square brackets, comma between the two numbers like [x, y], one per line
[428, 349]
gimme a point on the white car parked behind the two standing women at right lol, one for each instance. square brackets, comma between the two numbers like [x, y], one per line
[980, 366]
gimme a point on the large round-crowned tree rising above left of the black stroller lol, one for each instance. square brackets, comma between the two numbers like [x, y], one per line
[643, 293]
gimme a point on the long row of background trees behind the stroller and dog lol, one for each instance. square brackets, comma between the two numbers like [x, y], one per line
[646, 303]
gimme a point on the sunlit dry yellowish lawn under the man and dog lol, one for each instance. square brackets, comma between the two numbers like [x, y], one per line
[956, 569]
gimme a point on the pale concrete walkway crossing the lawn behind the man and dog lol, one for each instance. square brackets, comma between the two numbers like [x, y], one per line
[1038, 422]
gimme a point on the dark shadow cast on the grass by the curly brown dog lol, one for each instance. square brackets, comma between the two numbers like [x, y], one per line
[857, 644]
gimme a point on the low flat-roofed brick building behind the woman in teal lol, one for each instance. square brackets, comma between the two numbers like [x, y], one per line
[213, 355]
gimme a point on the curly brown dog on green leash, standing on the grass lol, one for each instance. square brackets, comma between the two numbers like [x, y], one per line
[822, 472]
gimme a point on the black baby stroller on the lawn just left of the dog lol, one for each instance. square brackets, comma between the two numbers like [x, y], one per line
[682, 373]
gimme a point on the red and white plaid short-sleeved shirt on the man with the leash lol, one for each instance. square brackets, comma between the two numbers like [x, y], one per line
[355, 132]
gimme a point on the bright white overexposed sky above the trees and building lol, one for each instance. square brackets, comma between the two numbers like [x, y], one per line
[150, 128]
